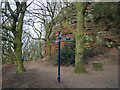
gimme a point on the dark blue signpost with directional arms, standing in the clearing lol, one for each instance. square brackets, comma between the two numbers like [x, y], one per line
[60, 39]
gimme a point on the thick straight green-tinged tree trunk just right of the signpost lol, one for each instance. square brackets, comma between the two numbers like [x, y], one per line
[79, 56]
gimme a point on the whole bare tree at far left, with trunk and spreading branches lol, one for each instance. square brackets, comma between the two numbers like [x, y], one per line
[15, 15]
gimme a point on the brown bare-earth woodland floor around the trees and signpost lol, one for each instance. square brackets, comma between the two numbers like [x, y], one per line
[43, 74]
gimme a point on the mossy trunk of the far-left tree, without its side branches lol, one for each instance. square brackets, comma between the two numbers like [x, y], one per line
[18, 41]
